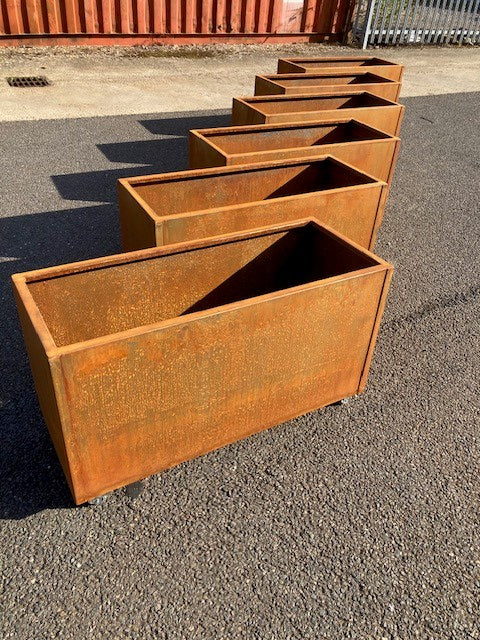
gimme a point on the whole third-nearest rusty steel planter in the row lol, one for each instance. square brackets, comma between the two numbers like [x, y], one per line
[364, 147]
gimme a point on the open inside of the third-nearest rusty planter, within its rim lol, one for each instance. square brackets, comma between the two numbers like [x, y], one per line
[273, 138]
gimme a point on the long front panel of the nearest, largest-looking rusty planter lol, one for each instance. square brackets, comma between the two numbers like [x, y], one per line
[144, 404]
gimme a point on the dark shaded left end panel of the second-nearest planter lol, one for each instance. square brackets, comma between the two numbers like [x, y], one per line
[138, 228]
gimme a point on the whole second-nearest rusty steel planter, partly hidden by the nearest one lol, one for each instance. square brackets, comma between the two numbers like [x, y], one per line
[175, 207]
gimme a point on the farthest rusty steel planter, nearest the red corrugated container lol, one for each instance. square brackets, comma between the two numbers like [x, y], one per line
[378, 66]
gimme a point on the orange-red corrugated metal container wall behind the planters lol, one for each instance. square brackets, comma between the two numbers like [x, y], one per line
[130, 22]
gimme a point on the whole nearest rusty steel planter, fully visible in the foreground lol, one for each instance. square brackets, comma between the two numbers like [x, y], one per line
[144, 360]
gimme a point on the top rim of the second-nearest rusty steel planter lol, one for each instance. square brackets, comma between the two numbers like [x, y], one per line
[191, 174]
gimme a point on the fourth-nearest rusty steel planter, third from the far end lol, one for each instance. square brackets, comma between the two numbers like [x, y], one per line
[362, 106]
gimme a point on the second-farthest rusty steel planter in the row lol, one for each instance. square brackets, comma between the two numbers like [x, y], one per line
[318, 83]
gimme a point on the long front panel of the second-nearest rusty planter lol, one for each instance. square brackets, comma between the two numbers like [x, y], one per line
[352, 212]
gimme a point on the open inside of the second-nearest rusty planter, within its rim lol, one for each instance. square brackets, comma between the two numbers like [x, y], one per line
[234, 187]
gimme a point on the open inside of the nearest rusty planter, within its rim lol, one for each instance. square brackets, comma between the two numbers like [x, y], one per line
[104, 300]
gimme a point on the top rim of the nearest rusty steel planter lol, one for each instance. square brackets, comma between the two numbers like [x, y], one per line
[21, 280]
